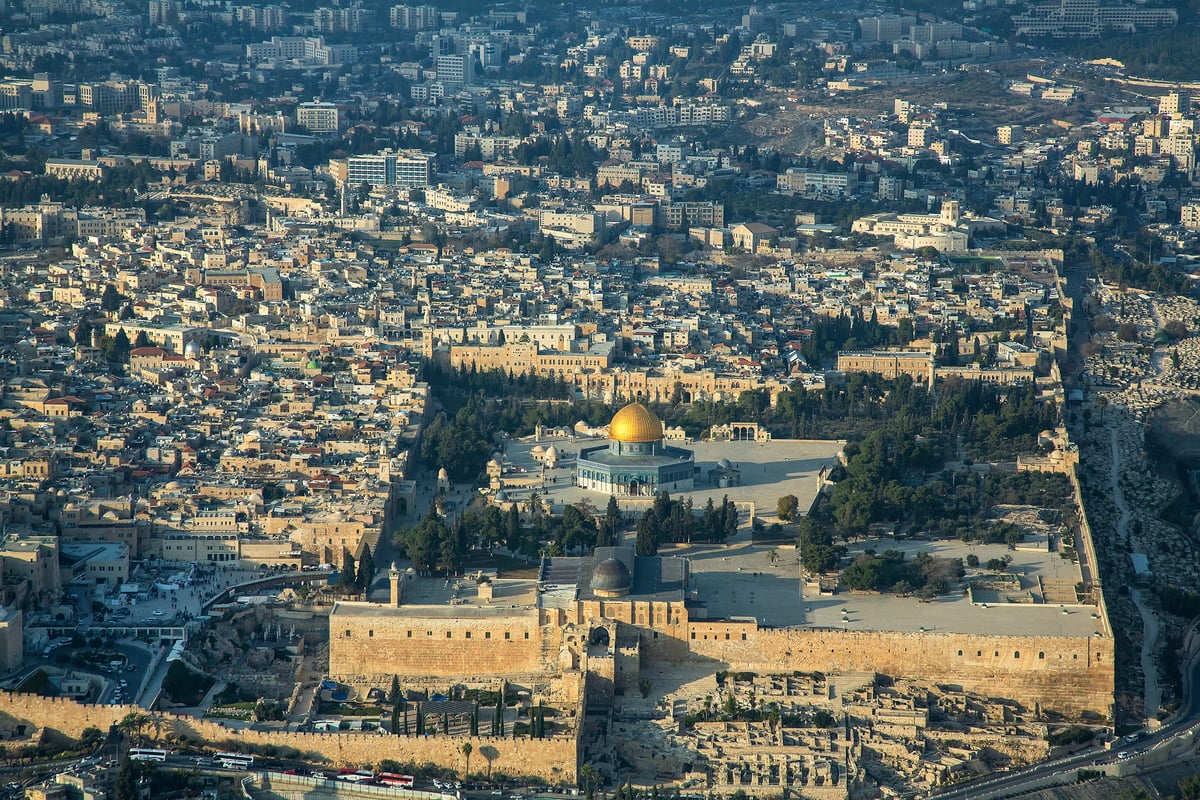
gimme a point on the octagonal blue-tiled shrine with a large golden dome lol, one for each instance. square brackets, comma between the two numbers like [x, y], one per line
[635, 462]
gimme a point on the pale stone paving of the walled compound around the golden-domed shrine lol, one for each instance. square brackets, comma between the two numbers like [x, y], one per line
[741, 579]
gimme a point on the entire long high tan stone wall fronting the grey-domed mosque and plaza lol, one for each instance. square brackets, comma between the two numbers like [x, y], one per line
[1072, 676]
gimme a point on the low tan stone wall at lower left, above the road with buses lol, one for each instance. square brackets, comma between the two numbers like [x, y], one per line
[551, 760]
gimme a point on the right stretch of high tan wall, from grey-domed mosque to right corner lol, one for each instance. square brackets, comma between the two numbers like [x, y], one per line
[1072, 676]
